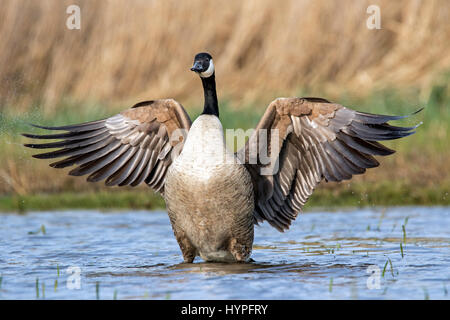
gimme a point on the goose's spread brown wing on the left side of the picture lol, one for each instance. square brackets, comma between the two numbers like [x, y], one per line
[134, 146]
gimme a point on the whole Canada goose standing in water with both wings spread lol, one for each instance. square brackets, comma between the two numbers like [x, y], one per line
[213, 204]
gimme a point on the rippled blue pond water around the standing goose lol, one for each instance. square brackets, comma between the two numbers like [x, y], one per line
[378, 253]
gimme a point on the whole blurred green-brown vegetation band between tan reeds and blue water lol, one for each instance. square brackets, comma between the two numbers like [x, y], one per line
[418, 174]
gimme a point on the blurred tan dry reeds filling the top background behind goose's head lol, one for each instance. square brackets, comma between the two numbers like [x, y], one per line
[127, 51]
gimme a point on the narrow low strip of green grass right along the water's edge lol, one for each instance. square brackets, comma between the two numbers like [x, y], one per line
[355, 195]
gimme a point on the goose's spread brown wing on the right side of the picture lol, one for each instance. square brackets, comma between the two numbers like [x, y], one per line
[310, 139]
